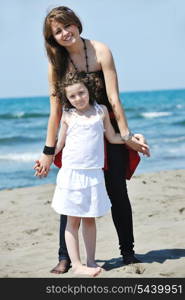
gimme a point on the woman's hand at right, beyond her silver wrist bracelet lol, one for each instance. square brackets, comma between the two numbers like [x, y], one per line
[139, 143]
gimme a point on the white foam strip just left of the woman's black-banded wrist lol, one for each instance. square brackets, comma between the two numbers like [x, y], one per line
[20, 156]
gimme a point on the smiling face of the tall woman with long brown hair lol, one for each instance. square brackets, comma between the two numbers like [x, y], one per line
[65, 35]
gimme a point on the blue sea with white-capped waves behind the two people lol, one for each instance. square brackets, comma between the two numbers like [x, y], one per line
[158, 115]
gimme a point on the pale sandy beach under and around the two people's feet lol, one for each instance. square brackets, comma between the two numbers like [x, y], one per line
[29, 230]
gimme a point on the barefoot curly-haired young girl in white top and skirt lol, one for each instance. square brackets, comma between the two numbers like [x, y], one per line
[80, 191]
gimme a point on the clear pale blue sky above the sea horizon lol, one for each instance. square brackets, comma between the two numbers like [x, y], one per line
[146, 37]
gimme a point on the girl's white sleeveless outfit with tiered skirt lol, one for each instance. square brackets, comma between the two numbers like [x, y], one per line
[80, 189]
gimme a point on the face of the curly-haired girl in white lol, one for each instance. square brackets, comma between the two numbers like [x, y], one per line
[78, 96]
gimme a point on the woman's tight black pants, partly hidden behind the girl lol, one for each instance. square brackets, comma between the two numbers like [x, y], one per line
[121, 208]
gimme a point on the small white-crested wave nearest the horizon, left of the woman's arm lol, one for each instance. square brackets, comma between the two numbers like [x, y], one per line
[23, 115]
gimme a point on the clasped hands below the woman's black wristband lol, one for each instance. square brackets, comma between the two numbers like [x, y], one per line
[42, 166]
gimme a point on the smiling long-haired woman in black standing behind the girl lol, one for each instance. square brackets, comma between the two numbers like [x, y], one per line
[68, 53]
